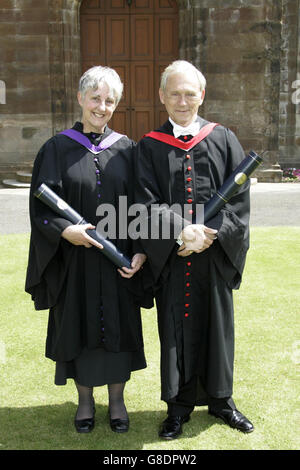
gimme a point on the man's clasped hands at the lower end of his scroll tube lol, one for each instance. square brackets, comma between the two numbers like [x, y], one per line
[197, 238]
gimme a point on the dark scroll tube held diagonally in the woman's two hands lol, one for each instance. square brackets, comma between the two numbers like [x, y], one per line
[58, 205]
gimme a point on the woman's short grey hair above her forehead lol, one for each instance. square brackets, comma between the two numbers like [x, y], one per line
[95, 75]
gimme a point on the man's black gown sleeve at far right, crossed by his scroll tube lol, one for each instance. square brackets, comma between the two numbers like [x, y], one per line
[229, 252]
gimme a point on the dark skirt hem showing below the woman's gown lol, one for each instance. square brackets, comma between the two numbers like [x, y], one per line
[97, 367]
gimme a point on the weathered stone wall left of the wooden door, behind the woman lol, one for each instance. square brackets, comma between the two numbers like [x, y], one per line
[40, 65]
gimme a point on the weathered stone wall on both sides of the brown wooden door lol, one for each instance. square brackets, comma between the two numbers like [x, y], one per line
[247, 49]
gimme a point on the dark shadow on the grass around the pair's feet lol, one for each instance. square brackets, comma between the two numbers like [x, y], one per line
[51, 427]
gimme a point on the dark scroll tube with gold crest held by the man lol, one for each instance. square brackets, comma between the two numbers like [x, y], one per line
[231, 185]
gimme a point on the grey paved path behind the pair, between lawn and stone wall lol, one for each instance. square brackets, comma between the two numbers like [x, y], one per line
[272, 204]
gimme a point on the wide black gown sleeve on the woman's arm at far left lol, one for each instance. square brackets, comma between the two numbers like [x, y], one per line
[47, 263]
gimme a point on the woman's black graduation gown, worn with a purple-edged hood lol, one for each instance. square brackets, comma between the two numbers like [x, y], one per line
[90, 304]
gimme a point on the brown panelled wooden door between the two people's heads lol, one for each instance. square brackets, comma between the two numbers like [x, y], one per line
[138, 38]
